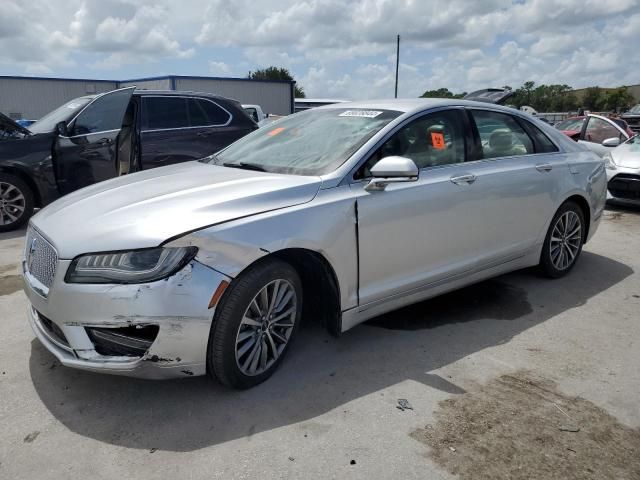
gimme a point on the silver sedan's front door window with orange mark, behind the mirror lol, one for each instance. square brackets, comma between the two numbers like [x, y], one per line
[432, 140]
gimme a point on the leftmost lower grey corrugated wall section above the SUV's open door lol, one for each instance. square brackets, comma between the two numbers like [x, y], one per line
[31, 98]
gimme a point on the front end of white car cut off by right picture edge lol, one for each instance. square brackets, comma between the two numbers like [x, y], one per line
[623, 172]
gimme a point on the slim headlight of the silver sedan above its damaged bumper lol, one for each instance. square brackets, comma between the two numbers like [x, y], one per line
[139, 266]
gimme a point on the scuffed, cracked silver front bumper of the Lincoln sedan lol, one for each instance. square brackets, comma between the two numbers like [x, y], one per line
[176, 309]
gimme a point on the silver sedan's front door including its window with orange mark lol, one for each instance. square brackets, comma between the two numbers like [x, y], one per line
[413, 233]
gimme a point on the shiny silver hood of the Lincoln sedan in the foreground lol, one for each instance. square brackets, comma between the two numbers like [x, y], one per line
[145, 209]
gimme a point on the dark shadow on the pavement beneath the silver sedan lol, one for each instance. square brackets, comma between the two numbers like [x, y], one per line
[321, 373]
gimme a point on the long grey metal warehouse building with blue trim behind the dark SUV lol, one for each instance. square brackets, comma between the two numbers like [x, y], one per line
[33, 97]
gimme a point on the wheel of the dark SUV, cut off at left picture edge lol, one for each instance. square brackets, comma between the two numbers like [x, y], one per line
[16, 202]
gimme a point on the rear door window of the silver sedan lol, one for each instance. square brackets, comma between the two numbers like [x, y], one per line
[501, 135]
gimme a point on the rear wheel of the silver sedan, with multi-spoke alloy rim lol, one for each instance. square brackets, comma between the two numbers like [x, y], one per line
[564, 240]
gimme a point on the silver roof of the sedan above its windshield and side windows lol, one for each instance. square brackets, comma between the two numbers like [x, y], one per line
[413, 105]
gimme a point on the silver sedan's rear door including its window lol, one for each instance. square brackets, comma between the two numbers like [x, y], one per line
[518, 174]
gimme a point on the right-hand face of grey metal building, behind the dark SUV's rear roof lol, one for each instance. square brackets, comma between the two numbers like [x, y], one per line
[273, 97]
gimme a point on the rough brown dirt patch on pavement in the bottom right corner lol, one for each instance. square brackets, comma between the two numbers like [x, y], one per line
[520, 426]
